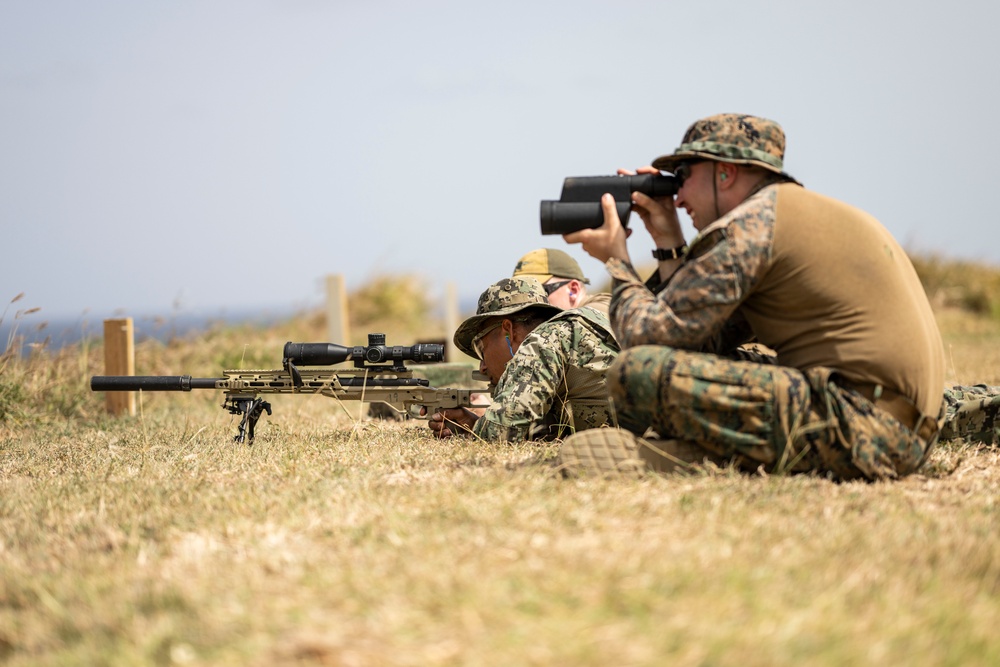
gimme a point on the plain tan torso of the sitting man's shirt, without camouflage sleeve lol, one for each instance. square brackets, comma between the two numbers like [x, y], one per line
[860, 309]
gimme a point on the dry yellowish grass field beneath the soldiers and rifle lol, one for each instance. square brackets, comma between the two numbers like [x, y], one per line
[339, 541]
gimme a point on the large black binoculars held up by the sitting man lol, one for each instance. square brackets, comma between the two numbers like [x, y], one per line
[579, 205]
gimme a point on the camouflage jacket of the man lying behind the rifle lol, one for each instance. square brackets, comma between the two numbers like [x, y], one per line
[555, 384]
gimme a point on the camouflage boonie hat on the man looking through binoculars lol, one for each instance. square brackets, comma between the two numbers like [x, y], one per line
[731, 137]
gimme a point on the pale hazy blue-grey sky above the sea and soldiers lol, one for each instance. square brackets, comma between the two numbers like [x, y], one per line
[160, 157]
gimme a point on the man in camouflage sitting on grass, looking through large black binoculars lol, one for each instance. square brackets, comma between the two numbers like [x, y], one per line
[854, 387]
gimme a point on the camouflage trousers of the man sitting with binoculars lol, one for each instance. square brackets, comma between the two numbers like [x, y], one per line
[757, 413]
